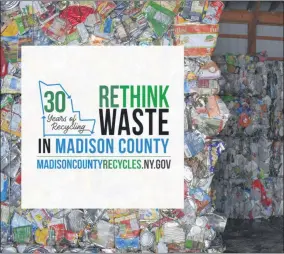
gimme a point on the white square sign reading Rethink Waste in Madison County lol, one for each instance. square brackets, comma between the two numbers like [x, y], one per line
[102, 127]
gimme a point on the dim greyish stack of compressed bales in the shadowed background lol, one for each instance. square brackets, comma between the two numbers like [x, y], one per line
[249, 174]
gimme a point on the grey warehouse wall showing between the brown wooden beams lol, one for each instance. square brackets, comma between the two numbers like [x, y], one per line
[240, 46]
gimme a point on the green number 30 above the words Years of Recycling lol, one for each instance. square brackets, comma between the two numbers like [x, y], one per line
[59, 102]
